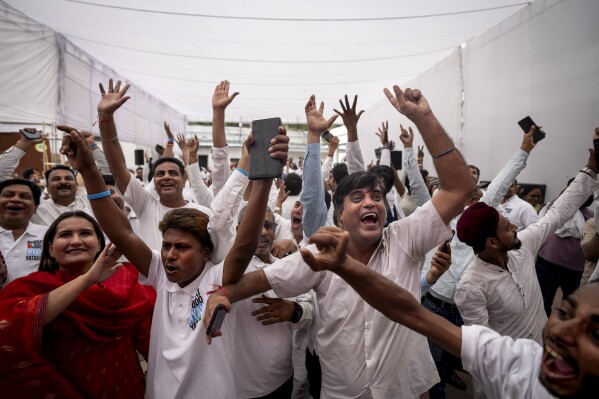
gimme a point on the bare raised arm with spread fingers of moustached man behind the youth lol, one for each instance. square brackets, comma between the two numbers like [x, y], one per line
[112, 100]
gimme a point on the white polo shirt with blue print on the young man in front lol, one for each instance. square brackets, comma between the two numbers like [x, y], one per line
[181, 364]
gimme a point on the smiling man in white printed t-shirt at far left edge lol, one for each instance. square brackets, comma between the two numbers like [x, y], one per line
[20, 239]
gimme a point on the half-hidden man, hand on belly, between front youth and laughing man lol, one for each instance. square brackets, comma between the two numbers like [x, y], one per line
[267, 341]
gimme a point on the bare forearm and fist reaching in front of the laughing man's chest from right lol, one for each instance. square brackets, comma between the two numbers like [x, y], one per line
[381, 293]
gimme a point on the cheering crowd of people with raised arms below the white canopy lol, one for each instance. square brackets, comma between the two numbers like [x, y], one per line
[339, 280]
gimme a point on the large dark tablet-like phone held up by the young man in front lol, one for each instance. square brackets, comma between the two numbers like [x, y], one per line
[262, 166]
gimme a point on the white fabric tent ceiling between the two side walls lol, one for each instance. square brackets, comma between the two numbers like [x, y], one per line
[275, 53]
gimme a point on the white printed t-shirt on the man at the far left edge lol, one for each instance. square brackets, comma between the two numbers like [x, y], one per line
[22, 256]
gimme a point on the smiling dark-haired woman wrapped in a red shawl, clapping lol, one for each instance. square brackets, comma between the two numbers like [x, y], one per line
[72, 329]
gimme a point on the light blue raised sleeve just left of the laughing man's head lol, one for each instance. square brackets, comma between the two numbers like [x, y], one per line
[312, 196]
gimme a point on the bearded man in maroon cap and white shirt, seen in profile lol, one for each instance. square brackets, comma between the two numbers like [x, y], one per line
[499, 289]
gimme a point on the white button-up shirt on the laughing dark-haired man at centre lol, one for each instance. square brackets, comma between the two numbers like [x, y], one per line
[362, 353]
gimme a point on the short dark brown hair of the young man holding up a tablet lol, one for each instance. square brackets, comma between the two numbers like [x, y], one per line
[190, 221]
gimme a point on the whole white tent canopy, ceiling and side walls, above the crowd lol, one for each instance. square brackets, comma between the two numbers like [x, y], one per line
[482, 64]
